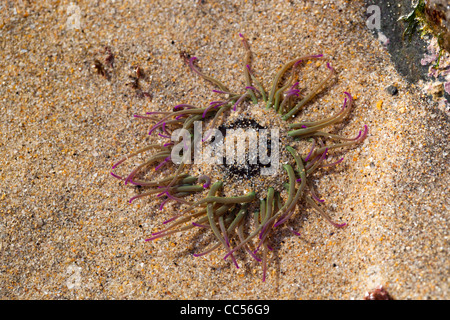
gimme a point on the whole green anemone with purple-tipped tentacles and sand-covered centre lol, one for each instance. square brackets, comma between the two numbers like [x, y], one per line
[240, 206]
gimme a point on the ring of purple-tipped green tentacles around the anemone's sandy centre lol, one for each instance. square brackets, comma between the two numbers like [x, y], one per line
[246, 222]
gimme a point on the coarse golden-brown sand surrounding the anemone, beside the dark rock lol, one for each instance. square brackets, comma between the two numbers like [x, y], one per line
[67, 230]
